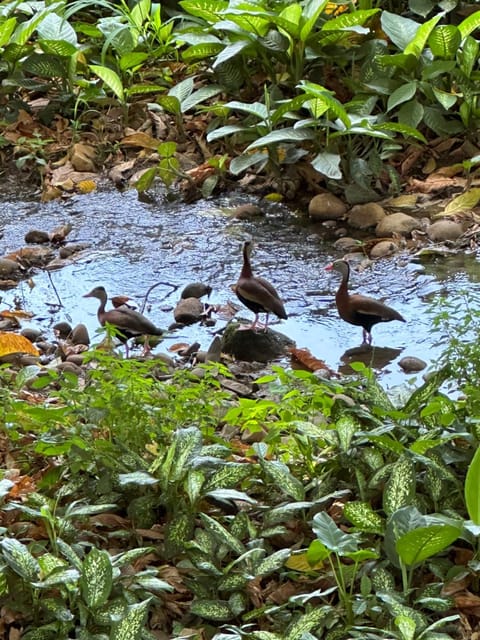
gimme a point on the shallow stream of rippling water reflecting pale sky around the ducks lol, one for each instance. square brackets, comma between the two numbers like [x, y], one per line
[134, 245]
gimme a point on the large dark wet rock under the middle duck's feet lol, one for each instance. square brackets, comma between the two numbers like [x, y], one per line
[251, 345]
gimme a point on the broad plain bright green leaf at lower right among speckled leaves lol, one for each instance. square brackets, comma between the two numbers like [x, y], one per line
[416, 546]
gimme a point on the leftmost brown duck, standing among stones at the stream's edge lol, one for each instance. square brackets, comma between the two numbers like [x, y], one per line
[130, 323]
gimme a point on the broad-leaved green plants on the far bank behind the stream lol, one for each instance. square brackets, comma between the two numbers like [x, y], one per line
[301, 92]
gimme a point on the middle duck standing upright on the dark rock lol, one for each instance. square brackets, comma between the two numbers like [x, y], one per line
[257, 294]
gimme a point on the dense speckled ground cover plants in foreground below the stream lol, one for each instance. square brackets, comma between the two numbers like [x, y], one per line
[131, 505]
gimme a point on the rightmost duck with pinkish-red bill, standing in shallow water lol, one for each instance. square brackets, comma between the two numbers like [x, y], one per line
[359, 310]
